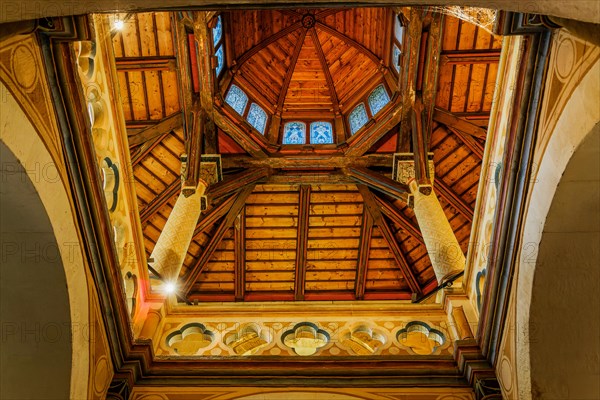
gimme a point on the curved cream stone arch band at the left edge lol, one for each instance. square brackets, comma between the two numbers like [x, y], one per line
[19, 137]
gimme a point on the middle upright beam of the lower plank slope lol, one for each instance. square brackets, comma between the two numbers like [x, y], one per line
[302, 242]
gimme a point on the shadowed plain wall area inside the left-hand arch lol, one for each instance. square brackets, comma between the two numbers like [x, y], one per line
[34, 306]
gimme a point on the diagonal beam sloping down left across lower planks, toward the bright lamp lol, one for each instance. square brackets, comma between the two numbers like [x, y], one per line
[215, 240]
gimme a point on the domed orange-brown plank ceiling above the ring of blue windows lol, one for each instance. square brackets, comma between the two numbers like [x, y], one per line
[308, 63]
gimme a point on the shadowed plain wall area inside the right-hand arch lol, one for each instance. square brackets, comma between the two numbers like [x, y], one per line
[564, 320]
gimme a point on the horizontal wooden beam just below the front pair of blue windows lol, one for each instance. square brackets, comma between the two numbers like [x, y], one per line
[312, 161]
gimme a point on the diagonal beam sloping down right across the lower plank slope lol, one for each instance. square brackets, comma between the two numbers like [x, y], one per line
[390, 239]
